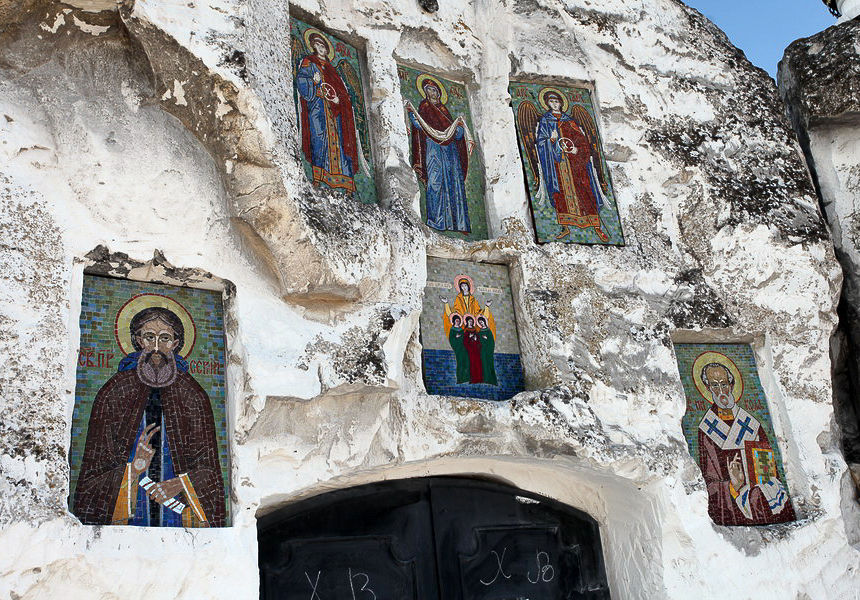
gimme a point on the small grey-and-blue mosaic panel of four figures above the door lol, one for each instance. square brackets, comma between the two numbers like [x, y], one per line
[468, 331]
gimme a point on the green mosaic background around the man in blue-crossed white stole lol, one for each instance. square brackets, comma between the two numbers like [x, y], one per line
[752, 400]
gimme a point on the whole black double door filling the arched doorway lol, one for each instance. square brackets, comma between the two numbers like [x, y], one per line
[438, 538]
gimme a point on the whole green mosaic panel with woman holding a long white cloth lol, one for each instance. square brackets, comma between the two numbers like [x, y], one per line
[444, 154]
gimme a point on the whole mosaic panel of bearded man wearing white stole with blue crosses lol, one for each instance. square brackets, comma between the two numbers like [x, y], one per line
[728, 428]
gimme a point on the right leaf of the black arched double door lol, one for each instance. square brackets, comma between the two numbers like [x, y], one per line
[494, 542]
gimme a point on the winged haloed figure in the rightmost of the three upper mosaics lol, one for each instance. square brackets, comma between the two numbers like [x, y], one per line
[564, 152]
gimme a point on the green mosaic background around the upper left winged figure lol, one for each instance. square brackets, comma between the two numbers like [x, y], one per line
[365, 187]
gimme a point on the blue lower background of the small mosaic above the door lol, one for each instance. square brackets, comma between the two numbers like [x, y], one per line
[440, 369]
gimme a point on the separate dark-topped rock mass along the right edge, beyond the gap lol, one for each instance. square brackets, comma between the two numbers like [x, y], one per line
[819, 78]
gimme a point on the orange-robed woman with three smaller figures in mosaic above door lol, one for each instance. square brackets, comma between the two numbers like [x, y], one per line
[471, 331]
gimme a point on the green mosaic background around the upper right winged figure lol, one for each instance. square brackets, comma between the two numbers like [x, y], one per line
[544, 215]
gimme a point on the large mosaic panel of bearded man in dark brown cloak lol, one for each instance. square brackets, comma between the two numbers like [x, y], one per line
[149, 443]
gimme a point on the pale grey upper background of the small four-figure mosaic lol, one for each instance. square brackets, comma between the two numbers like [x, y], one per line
[443, 271]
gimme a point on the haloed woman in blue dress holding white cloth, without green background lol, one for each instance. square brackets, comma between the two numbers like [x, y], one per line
[441, 147]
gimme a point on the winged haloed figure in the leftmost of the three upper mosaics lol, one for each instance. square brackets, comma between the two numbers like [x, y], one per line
[330, 139]
